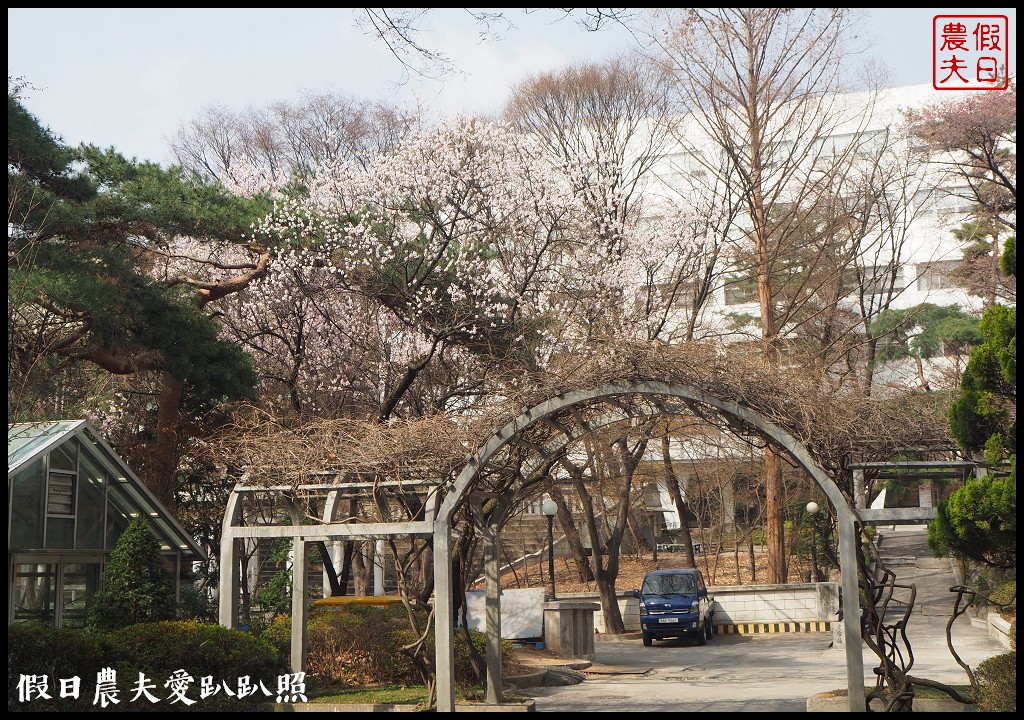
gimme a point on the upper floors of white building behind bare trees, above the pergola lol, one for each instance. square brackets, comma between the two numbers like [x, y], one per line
[902, 256]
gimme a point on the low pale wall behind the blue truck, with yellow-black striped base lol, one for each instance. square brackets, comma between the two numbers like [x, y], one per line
[737, 608]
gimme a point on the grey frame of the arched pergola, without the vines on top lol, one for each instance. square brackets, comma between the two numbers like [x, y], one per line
[536, 436]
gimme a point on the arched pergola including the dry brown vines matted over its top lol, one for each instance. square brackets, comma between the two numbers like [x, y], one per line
[464, 460]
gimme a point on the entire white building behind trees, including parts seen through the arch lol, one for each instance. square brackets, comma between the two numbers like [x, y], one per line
[907, 253]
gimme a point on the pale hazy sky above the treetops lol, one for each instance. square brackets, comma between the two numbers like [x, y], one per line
[130, 78]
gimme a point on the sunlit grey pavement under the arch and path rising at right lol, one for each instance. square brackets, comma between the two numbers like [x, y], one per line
[773, 673]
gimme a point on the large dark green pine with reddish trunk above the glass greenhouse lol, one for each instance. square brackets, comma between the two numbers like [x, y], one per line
[112, 264]
